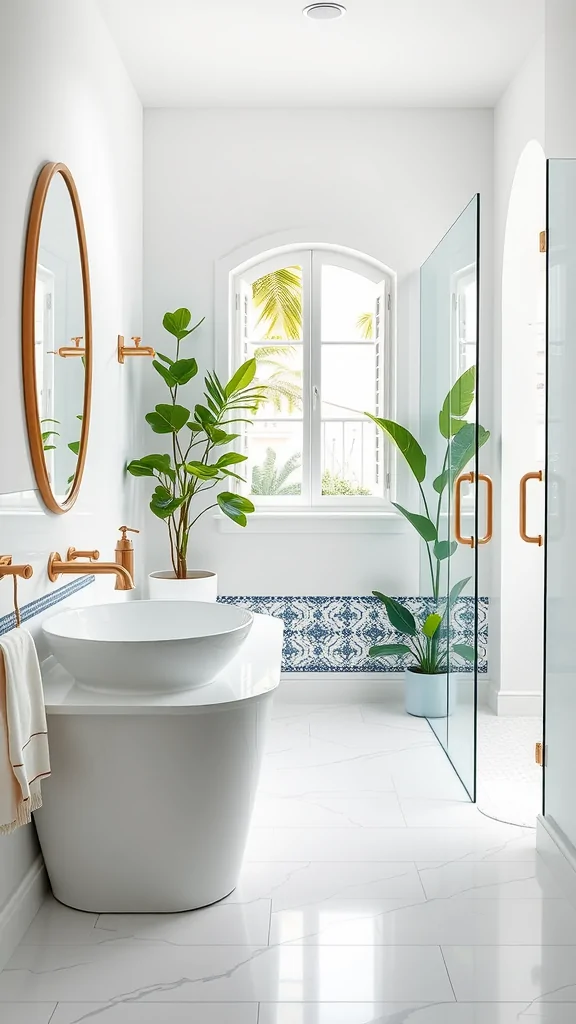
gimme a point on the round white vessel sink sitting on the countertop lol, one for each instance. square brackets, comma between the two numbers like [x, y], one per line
[147, 647]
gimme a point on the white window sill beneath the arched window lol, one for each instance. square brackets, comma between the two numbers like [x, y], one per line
[318, 522]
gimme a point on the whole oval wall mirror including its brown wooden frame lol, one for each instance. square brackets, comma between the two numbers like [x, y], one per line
[57, 338]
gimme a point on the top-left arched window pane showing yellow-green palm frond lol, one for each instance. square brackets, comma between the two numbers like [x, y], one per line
[273, 307]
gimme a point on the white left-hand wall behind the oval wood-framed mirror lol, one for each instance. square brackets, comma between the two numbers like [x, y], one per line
[65, 97]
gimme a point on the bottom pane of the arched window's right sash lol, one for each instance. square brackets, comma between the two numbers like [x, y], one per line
[351, 458]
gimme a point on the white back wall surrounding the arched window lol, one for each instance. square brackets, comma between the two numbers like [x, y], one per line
[387, 183]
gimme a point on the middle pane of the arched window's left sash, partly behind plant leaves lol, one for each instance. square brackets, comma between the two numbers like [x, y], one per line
[280, 369]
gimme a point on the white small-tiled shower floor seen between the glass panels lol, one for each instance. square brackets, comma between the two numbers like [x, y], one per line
[510, 783]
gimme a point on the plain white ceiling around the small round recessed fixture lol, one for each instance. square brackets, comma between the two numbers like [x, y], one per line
[266, 54]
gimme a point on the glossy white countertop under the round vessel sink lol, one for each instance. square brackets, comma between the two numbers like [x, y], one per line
[255, 672]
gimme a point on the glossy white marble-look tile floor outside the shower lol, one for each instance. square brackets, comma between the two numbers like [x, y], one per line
[373, 893]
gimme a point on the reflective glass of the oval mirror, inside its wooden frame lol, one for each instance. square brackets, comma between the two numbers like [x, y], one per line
[59, 338]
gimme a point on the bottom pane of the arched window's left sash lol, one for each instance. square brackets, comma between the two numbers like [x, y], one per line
[275, 458]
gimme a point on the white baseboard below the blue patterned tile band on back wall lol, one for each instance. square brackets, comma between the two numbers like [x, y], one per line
[348, 688]
